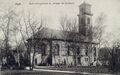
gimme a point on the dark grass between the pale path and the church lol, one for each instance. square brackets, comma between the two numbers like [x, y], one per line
[90, 69]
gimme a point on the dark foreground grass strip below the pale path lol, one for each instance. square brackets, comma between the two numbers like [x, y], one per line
[20, 72]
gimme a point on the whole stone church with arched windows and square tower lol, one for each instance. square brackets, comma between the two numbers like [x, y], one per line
[74, 48]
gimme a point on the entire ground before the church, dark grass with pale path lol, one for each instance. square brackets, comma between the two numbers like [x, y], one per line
[61, 71]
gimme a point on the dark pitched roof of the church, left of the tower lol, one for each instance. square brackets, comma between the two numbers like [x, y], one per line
[47, 33]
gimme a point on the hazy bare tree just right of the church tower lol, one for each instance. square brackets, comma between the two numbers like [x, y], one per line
[98, 29]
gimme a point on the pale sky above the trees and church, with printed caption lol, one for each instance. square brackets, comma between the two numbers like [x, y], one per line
[51, 10]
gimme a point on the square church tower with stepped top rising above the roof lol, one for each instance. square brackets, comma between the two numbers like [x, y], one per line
[85, 19]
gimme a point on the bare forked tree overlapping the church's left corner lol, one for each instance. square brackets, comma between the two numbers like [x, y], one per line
[29, 26]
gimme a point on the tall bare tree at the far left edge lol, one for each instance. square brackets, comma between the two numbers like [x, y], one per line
[6, 26]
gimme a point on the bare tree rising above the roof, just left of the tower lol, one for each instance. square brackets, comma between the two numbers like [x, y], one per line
[69, 29]
